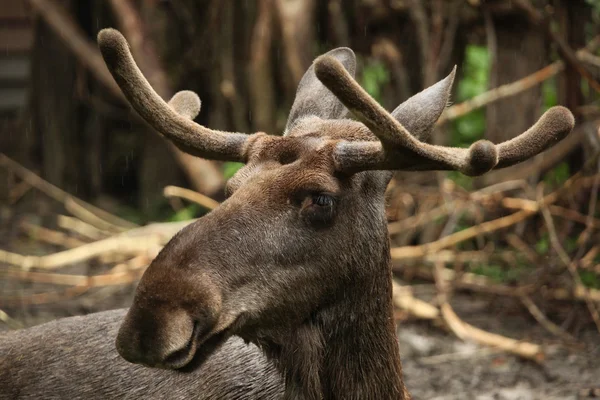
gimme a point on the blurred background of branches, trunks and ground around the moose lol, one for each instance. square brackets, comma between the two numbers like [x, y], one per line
[497, 278]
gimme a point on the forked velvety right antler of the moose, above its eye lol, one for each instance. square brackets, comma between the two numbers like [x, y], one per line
[397, 149]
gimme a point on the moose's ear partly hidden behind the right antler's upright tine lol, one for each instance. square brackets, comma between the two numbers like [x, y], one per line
[314, 99]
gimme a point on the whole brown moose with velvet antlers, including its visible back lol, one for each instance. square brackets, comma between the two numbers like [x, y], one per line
[285, 289]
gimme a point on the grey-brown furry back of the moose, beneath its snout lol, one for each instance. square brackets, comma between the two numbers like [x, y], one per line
[76, 359]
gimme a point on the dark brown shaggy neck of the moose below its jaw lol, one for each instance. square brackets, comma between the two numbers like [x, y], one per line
[348, 349]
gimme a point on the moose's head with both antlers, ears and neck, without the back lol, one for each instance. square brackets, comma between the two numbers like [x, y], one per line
[296, 259]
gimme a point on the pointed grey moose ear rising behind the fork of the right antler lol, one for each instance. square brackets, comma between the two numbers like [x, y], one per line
[419, 113]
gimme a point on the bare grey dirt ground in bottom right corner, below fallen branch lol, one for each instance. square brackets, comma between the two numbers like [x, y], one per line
[441, 367]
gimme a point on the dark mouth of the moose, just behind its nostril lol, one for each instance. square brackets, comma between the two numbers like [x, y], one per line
[197, 350]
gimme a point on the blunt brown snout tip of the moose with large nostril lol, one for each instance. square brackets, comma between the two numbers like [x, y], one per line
[159, 338]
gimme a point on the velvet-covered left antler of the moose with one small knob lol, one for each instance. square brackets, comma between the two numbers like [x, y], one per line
[186, 134]
